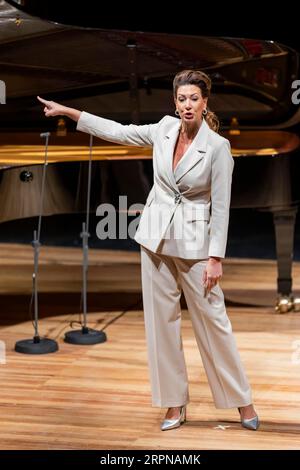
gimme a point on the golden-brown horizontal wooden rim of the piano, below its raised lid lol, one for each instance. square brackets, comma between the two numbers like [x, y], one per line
[28, 149]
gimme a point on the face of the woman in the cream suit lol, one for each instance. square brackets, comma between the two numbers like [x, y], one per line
[190, 104]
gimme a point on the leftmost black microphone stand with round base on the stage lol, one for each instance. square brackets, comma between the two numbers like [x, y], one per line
[37, 345]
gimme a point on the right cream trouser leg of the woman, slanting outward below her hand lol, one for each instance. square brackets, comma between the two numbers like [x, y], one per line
[217, 346]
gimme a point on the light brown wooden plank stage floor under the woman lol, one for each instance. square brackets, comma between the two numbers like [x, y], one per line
[98, 397]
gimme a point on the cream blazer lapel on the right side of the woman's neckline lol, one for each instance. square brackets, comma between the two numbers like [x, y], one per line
[194, 153]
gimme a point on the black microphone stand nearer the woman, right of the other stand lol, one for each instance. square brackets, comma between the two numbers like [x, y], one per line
[86, 335]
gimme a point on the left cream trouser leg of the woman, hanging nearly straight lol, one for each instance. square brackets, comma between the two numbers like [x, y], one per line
[162, 312]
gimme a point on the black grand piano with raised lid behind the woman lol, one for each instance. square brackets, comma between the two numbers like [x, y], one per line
[127, 76]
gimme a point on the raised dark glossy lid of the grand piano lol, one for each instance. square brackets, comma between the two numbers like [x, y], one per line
[89, 69]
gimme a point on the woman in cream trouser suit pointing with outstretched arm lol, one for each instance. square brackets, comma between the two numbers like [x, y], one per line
[183, 236]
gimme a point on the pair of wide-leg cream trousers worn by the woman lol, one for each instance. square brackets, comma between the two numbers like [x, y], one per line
[163, 280]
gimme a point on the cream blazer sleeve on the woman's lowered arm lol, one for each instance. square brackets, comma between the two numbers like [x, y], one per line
[222, 168]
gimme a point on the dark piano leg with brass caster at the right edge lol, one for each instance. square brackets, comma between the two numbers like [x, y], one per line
[284, 223]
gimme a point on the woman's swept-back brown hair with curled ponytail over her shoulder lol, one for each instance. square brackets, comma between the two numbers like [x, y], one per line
[202, 81]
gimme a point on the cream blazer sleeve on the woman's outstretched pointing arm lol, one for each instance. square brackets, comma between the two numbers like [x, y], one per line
[106, 129]
